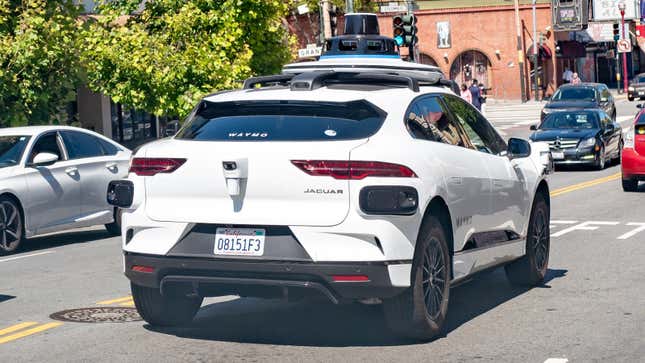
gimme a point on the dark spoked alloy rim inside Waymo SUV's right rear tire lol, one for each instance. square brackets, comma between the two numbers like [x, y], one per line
[434, 278]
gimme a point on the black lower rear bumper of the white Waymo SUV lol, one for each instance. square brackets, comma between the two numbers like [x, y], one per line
[217, 277]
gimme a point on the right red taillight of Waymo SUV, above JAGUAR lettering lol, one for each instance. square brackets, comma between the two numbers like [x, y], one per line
[354, 170]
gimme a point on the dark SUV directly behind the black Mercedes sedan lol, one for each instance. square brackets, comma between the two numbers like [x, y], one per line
[581, 96]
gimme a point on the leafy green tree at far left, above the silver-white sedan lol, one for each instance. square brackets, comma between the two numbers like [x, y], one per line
[38, 61]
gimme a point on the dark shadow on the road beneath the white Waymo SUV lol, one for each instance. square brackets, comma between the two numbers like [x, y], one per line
[320, 324]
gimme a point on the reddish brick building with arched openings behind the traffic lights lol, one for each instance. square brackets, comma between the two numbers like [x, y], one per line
[479, 40]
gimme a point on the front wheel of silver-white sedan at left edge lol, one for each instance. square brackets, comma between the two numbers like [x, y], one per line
[11, 226]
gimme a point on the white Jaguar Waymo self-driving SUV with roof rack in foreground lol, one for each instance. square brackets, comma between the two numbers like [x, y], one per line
[352, 185]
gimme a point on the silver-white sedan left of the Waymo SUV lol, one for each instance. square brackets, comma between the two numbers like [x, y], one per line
[54, 178]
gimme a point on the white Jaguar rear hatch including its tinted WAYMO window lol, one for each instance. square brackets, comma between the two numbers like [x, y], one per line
[243, 163]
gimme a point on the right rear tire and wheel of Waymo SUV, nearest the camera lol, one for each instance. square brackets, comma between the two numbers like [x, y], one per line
[420, 311]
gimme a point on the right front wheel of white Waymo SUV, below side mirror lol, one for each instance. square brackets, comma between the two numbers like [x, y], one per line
[531, 268]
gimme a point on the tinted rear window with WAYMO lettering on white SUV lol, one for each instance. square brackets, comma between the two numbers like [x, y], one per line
[282, 121]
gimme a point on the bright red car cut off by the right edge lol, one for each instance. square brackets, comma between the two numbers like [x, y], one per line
[633, 156]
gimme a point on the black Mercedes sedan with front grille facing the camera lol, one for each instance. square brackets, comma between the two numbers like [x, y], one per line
[588, 137]
